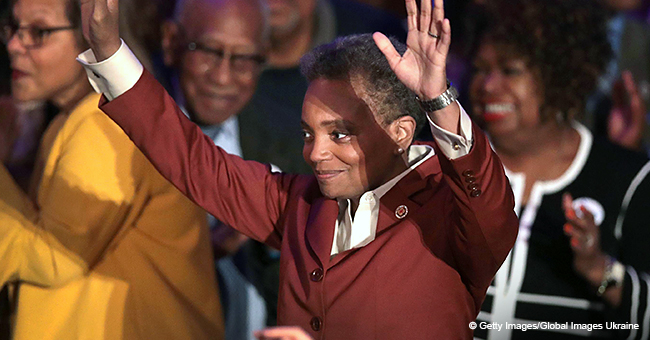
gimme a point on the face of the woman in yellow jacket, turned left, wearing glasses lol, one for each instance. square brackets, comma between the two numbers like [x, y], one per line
[47, 71]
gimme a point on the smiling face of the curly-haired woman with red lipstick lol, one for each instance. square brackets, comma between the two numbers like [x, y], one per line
[505, 94]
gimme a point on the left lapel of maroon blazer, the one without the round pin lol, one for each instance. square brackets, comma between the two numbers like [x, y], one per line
[320, 228]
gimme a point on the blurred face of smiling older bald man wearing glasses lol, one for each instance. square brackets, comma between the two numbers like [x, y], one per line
[221, 60]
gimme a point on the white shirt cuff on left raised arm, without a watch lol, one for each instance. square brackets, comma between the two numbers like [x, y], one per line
[112, 76]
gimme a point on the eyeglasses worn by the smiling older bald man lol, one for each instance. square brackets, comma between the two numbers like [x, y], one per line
[242, 64]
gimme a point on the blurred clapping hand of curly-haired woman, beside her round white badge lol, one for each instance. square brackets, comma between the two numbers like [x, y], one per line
[589, 259]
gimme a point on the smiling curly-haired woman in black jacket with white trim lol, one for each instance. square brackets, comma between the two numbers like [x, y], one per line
[579, 258]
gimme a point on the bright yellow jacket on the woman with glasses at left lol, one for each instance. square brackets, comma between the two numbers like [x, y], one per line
[101, 205]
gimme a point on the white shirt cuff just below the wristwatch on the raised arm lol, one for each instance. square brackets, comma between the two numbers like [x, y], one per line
[451, 144]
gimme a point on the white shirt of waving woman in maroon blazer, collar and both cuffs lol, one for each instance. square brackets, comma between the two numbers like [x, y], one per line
[122, 70]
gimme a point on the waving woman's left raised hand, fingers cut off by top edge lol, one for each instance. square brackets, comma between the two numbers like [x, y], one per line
[100, 25]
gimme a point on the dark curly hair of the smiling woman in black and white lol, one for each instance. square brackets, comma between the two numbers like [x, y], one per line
[564, 41]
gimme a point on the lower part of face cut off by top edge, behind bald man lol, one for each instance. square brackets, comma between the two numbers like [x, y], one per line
[287, 15]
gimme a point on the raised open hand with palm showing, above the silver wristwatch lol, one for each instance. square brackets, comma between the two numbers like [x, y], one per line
[422, 68]
